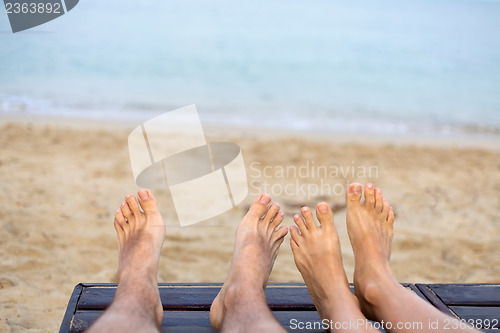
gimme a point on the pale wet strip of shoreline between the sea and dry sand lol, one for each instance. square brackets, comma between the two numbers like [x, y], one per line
[486, 141]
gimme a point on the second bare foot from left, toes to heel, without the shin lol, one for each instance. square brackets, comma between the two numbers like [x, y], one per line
[255, 249]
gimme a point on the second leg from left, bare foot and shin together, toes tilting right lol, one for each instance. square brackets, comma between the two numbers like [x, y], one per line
[241, 304]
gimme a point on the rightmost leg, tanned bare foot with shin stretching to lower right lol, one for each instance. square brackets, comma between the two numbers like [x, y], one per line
[370, 228]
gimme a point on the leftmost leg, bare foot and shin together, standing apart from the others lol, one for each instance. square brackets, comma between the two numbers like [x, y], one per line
[137, 305]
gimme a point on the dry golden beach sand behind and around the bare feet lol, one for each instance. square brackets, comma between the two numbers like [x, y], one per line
[60, 184]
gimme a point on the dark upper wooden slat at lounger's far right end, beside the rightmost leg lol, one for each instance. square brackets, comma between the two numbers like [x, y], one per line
[477, 294]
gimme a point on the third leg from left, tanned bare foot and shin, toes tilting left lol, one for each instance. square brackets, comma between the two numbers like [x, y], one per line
[316, 251]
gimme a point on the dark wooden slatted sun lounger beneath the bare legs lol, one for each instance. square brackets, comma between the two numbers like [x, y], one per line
[186, 306]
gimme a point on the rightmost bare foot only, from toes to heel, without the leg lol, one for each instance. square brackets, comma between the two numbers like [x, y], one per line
[370, 229]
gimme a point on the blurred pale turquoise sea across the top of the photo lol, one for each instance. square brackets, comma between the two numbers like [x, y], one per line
[379, 66]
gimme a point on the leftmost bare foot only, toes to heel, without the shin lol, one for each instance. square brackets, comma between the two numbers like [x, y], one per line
[140, 236]
